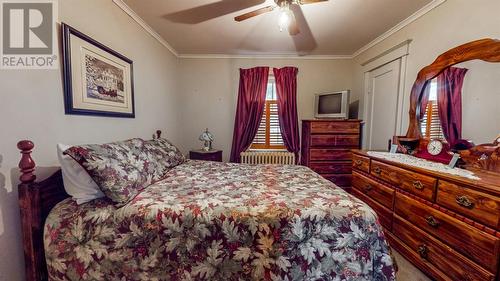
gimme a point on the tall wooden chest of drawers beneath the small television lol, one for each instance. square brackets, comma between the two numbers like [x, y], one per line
[326, 148]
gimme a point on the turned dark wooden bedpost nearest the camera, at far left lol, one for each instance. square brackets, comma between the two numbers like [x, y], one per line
[29, 200]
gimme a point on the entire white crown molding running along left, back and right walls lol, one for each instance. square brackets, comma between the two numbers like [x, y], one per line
[418, 14]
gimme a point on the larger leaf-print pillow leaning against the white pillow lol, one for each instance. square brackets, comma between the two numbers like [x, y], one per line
[118, 168]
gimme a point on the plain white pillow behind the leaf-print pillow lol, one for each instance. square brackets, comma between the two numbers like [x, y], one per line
[77, 181]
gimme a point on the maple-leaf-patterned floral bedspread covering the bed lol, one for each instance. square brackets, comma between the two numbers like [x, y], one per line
[216, 221]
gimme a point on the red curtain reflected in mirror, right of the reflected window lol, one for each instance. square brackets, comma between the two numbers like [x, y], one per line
[450, 83]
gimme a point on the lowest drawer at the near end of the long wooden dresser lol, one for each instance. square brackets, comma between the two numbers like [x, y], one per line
[456, 266]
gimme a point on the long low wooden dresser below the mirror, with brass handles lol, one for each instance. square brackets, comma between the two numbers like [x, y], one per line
[447, 226]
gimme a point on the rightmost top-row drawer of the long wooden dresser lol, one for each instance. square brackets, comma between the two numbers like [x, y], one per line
[473, 204]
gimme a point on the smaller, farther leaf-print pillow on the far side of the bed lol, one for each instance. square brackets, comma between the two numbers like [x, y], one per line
[161, 156]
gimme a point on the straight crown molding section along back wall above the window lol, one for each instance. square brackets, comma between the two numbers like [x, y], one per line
[265, 56]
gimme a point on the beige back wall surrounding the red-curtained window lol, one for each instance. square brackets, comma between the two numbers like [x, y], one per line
[209, 90]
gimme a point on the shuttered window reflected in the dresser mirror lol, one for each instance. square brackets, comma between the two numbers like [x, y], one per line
[431, 125]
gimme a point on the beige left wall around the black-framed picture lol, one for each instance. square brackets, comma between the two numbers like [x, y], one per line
[31, 106]
